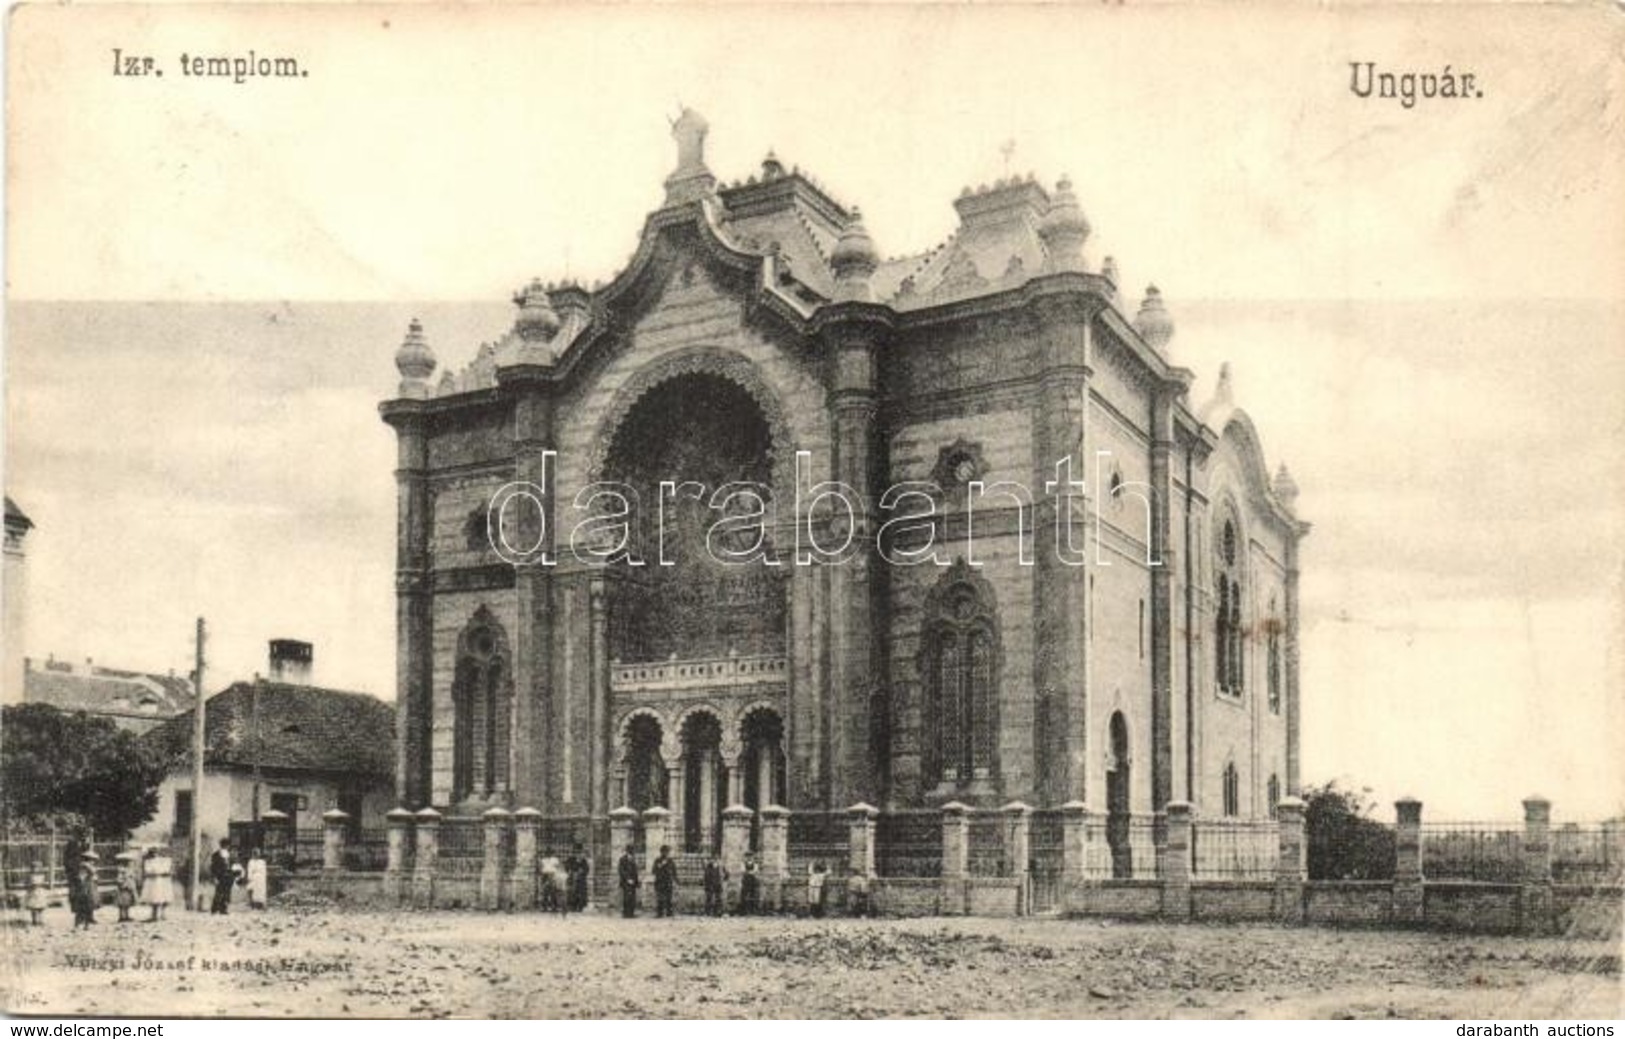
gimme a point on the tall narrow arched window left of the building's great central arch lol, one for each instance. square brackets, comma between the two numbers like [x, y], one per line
[482, 700]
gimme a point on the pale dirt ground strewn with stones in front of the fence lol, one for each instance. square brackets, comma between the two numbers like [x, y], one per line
[316, 962]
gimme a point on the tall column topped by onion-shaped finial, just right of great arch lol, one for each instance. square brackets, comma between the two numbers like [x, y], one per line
[856, 333]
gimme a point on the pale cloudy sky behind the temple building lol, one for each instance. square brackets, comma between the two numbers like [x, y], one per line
[1423, 306]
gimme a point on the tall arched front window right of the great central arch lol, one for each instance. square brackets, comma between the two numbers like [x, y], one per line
[960, 669]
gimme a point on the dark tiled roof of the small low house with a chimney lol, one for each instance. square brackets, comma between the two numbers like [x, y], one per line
[280, 726]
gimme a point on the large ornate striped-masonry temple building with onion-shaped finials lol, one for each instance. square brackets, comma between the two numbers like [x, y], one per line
[1127, 645]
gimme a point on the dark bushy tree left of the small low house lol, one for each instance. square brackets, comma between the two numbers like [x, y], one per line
[63, 765]
